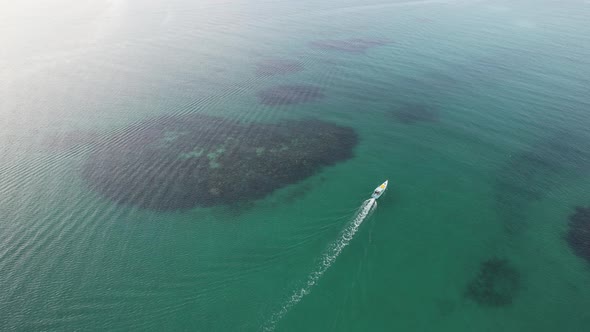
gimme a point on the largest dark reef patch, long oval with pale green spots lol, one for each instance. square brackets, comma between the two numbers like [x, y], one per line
[180, 162]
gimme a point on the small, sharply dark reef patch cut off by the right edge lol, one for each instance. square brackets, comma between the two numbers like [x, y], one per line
[578, 235]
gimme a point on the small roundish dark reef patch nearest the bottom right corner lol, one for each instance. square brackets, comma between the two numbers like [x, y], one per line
[495, 285]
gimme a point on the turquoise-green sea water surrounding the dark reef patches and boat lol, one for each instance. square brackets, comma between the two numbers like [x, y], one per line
[476, 111]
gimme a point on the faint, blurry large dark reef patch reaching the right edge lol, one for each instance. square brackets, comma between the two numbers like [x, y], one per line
[528, 175]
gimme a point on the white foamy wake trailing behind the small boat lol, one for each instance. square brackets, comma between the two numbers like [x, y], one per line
[328, 258]
